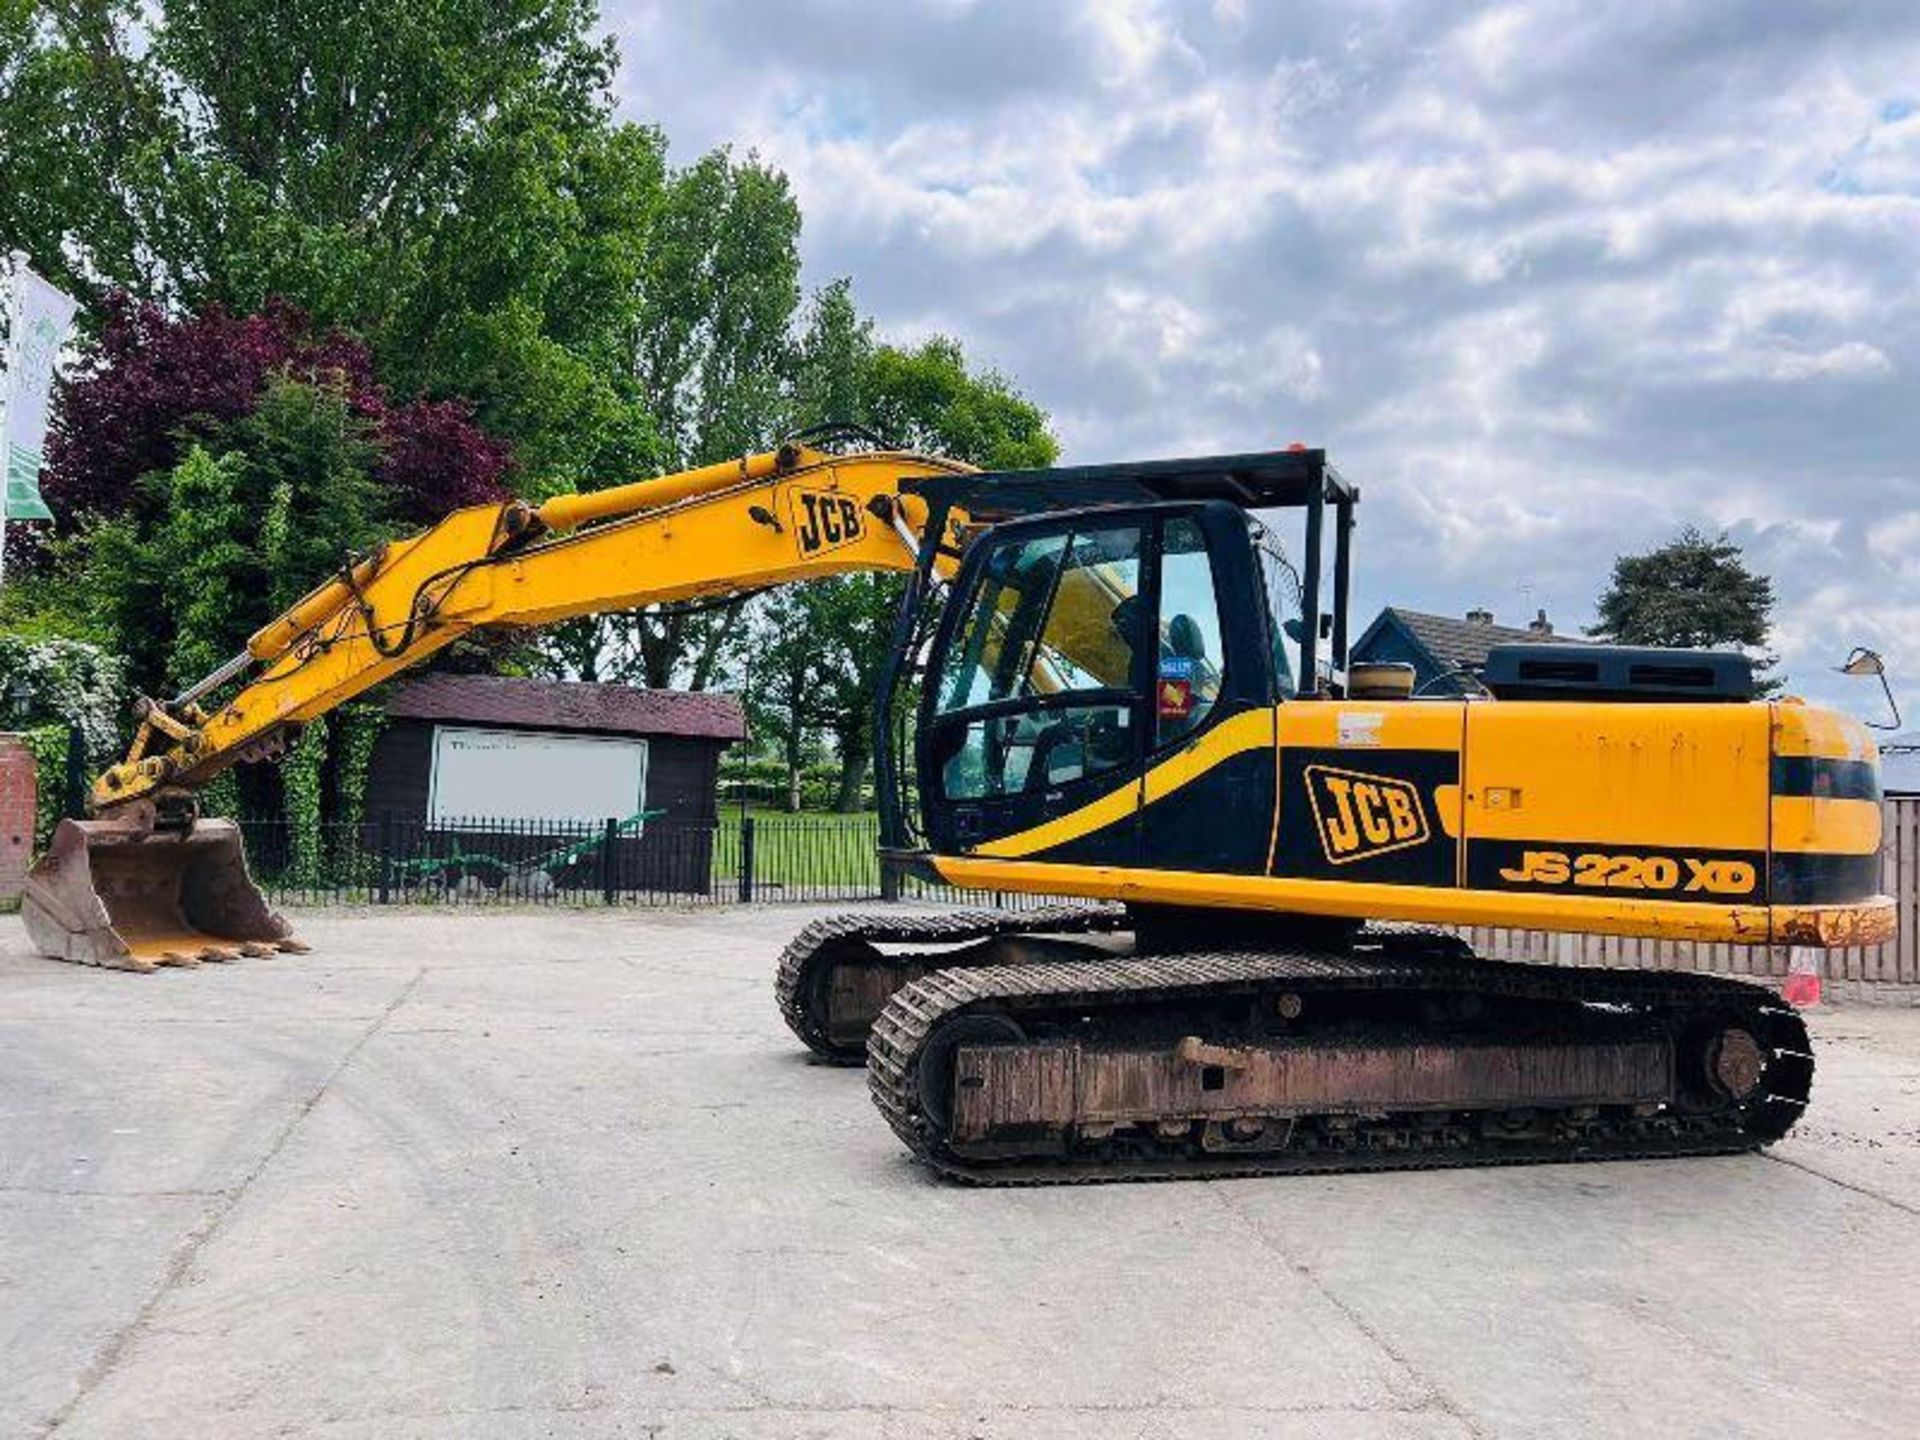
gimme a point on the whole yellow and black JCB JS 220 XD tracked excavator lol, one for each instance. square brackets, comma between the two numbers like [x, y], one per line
[1115, 686]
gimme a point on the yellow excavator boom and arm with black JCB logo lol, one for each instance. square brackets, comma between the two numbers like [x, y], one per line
[721, 531]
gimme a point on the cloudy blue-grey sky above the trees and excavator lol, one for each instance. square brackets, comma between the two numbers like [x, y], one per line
[1548, 281]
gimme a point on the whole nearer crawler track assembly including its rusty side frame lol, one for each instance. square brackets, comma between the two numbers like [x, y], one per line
[1026, 1109]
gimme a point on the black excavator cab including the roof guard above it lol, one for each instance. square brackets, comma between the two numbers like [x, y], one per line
[1082, 650]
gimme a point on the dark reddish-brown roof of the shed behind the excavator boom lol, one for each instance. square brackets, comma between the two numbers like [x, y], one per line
[567, 706]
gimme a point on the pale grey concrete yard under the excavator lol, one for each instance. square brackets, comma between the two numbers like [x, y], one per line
[565, 1174]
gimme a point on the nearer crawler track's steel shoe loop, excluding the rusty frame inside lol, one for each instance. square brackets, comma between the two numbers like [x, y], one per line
[1172, 980]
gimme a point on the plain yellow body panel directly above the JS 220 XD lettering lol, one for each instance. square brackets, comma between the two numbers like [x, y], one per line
[1673, 777]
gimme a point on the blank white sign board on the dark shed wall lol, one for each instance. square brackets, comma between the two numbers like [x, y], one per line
[504, 775]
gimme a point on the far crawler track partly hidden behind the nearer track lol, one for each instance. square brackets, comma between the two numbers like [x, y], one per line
[794, 982]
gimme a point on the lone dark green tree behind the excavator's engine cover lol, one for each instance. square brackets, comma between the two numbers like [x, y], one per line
[1694, 592]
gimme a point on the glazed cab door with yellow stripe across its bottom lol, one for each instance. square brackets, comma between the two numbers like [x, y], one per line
[1038, 696]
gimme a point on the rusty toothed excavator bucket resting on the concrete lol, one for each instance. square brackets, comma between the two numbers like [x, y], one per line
[126, 896]
